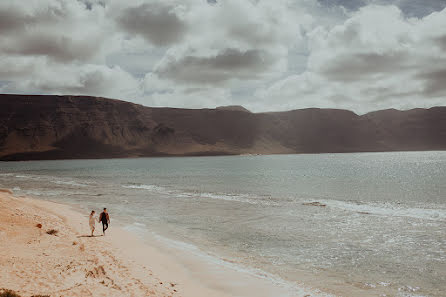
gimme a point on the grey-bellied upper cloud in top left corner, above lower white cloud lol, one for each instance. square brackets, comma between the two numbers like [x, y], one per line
[52, 31]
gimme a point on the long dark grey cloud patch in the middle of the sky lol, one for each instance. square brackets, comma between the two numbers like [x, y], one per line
[228, 64]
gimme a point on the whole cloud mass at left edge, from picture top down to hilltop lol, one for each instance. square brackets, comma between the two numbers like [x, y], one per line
[59, 47]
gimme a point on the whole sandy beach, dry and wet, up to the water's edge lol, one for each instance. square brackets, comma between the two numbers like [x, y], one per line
[71, 263]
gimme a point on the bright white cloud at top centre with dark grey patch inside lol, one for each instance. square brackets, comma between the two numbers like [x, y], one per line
[252, 46]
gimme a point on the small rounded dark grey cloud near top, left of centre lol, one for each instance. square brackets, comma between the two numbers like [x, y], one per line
[156, 22]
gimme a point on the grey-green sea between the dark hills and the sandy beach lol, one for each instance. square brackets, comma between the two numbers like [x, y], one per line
[381, 229]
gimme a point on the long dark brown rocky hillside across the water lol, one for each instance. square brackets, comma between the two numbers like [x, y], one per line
[62, 127]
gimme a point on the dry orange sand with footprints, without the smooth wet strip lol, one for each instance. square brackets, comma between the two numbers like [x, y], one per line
[71, 263]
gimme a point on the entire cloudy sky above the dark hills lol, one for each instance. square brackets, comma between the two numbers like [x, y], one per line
[266, 55]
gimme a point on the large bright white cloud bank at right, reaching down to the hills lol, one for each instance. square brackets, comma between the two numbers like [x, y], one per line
[375, 59]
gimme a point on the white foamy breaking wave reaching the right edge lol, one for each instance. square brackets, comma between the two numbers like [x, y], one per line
[389, 209]
